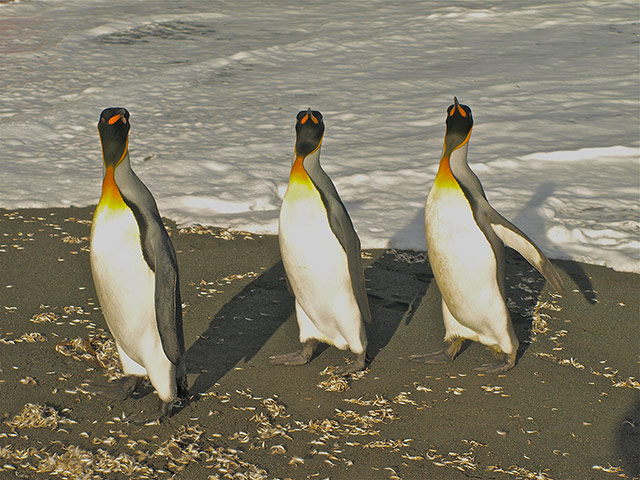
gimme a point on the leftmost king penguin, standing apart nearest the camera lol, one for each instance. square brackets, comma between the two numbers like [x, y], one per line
[135, 273]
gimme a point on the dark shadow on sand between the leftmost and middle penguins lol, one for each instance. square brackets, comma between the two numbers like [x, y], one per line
[239, 329]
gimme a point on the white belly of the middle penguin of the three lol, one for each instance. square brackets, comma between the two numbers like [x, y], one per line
[316, 265]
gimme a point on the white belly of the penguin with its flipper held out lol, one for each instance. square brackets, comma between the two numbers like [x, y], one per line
[463, 262]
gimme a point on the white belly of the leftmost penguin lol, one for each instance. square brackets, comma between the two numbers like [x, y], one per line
[125, 286]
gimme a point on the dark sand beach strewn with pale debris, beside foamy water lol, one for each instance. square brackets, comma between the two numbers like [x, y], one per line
[570, 409]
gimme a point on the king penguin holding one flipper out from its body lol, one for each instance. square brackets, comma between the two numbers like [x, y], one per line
[465, 243]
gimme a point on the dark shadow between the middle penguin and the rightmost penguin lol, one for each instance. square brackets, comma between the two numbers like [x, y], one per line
[396, 285]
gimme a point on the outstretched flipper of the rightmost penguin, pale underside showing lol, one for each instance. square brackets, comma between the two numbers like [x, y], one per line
[513, 237]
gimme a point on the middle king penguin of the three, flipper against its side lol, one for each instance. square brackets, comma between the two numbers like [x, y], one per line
[321, 255]
